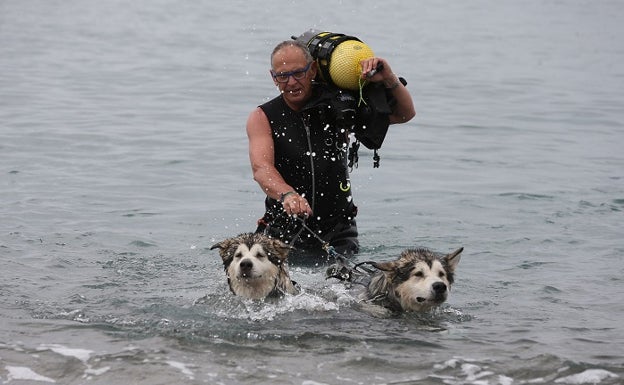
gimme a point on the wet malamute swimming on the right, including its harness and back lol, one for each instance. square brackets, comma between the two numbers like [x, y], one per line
[418, 280]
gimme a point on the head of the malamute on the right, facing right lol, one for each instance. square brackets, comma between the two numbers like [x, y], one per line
[420, 279]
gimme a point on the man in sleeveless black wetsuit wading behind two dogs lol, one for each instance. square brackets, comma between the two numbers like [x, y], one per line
[298, 152]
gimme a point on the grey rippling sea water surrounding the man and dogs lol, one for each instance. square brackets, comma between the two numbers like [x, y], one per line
[123, 158]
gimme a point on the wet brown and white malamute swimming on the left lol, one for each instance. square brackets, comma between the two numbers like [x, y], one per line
[256, 266]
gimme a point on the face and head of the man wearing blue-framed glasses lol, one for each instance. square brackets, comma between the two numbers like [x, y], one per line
[291, 63]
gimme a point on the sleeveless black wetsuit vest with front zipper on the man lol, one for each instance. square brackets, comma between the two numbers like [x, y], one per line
[310, 151]
